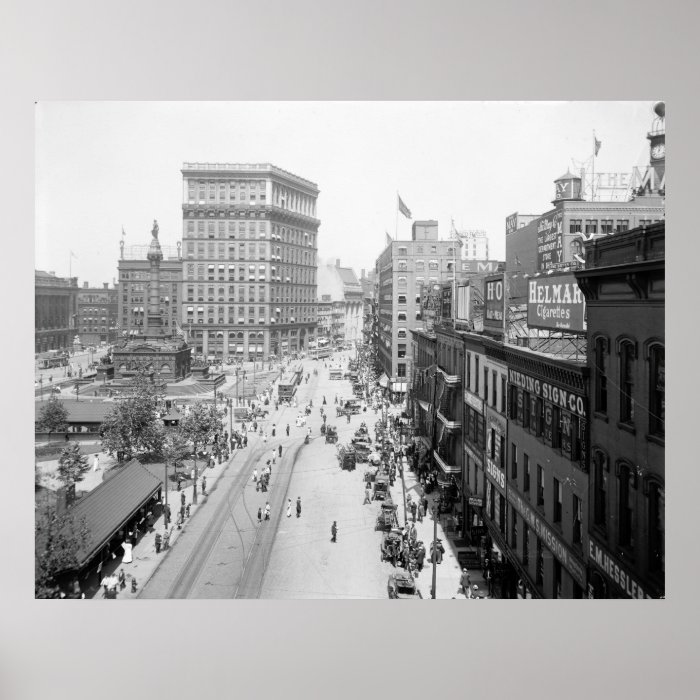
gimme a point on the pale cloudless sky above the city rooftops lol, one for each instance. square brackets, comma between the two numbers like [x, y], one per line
[101, 166]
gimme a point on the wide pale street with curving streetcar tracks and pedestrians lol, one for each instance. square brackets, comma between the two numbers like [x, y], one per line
[225, 553]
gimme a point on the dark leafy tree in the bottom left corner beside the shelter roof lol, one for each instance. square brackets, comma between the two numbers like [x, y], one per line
[57, 542]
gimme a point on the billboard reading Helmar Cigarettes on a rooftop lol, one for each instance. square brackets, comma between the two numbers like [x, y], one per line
[555, 302]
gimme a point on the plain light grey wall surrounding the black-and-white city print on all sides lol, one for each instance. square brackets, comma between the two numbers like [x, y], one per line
[350, 50]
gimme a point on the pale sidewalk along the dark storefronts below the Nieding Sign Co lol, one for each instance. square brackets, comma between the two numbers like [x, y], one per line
[449, 571]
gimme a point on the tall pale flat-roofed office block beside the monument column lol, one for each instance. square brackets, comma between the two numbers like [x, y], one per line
[249, 260]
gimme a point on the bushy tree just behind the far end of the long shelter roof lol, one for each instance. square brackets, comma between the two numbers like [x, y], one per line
[133, 426]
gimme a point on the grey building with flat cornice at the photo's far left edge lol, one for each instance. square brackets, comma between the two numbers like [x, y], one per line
[55, 311]
